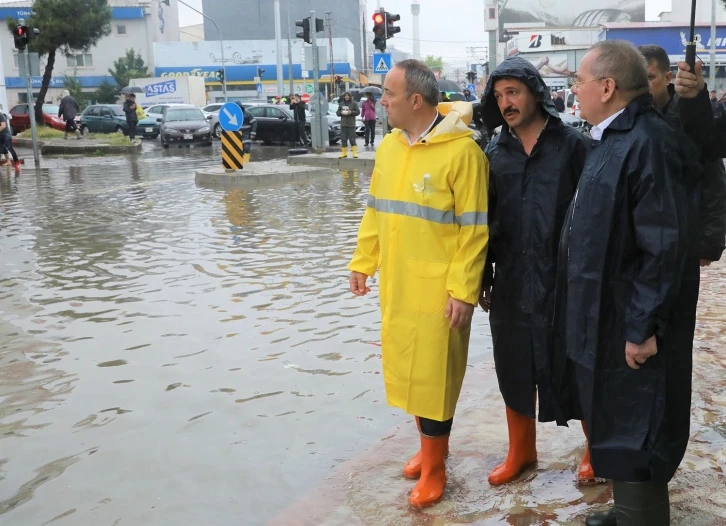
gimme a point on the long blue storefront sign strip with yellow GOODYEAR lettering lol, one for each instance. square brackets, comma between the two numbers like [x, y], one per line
[246, 73]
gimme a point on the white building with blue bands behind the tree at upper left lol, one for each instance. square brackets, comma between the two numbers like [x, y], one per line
[136, 25]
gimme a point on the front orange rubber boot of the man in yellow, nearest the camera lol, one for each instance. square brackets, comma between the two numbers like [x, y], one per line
[430, 487]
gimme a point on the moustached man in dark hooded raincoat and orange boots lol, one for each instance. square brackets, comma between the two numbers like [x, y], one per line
[535, 163]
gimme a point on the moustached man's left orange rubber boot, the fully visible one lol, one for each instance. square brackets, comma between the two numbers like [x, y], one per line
[522, 448]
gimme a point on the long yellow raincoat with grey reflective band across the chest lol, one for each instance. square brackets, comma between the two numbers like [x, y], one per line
[425, 230]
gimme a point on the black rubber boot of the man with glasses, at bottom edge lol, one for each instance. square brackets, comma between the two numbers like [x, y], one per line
[641, 503]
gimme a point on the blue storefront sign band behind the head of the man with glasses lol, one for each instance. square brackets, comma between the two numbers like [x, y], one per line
[671, 38]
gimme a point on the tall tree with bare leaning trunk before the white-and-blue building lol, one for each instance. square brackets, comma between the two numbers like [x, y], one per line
[66, 26]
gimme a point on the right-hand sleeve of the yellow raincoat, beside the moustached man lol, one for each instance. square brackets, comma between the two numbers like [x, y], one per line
[470, 181]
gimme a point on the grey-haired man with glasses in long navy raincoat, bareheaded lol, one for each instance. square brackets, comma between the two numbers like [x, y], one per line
[623, 250]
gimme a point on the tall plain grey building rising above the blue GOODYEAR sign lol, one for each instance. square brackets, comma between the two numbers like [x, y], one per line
[255, 20]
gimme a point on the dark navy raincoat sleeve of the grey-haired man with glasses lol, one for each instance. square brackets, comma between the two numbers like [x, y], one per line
[658, 225]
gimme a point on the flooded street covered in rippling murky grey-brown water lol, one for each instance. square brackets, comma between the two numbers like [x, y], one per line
[173, 355]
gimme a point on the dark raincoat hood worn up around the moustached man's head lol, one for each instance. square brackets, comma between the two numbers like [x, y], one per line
[524, 71]
